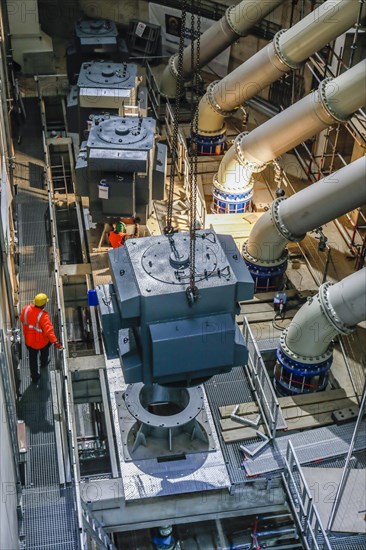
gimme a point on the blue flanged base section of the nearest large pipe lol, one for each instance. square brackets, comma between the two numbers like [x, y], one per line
[293, 377]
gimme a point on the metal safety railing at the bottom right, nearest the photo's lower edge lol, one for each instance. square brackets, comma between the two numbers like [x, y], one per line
[306, 515]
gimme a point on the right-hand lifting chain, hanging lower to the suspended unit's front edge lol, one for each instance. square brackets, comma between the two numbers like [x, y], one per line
[192, 291]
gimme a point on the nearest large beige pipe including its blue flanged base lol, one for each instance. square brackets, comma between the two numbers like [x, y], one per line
[305, 351]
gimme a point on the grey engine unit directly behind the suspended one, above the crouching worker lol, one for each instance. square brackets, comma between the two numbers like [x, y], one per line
[121, 168]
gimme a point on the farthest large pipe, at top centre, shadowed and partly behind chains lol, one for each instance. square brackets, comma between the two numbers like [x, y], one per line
[236, 22]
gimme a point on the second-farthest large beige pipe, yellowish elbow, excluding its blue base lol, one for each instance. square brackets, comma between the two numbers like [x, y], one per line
[288, 50]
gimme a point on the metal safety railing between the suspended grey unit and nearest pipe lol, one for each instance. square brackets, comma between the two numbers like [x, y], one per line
[262, 385]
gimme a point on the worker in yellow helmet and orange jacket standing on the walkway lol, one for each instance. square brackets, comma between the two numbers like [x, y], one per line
[38, 334]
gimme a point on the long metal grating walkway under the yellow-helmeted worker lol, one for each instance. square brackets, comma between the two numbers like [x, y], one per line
[49, 517]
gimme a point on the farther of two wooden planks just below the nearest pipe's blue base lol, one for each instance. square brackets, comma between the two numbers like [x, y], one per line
[290, 401]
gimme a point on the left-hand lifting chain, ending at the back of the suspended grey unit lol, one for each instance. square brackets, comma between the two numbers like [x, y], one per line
[168, 230]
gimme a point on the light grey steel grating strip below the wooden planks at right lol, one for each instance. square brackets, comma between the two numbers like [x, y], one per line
[310, 446]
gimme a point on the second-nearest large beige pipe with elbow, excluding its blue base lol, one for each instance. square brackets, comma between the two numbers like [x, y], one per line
[290, 219]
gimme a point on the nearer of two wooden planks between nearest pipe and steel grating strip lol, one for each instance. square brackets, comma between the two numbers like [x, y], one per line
[297, 412]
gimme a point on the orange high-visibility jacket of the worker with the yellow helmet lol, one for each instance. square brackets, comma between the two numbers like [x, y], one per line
[37, 327]
